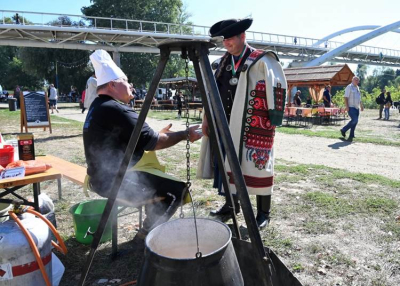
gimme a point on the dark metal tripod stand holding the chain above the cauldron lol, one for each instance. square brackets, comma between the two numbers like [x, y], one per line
[197, 52]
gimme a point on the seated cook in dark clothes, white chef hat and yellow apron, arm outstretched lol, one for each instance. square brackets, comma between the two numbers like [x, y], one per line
[106, 133]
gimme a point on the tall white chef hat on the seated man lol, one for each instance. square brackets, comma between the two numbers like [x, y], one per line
[105, 68]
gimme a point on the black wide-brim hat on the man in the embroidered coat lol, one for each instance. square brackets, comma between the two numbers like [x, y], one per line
[230, 28]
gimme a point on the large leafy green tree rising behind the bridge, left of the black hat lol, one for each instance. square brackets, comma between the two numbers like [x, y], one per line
[140, 67]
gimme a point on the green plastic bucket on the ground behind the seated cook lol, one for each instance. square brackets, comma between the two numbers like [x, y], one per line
[88, 214]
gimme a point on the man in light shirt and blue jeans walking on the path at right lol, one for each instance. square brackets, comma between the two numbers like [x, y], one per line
[352, 99]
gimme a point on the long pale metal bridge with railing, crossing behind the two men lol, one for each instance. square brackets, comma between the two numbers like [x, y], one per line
[49, 30]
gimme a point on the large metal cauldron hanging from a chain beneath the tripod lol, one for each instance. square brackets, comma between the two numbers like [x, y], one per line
[170, 255]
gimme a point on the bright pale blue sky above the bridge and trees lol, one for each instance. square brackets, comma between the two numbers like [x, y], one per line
[306, 18]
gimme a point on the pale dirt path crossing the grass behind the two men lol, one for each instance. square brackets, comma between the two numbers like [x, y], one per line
[354, 157]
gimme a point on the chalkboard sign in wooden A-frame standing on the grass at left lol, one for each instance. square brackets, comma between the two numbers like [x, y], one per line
[34, 110]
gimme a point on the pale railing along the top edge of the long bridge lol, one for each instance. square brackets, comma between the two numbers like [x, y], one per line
[118, 24]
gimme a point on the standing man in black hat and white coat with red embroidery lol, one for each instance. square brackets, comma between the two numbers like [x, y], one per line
[228, 74]
